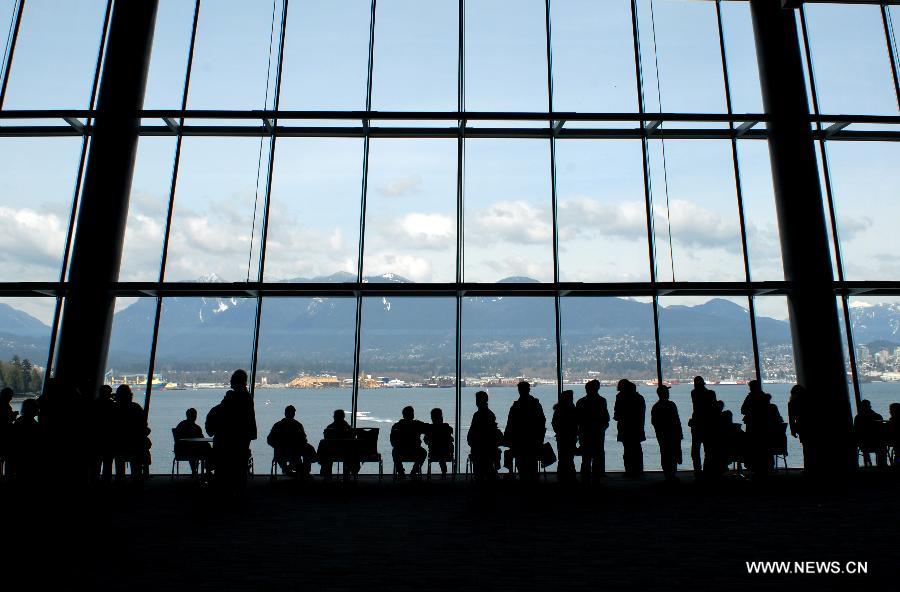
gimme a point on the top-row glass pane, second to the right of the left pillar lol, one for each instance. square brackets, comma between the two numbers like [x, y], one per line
[231, 56]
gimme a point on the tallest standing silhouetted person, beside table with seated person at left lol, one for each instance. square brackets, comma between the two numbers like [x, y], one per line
[233, 427]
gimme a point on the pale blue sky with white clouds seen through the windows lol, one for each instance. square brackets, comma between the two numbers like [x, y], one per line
[411, 199]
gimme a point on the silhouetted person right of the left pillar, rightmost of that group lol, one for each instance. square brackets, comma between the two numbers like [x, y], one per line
[130, 431]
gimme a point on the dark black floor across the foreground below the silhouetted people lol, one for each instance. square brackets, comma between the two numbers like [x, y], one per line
[633, 535]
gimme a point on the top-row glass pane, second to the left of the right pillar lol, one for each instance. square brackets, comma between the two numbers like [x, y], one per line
[681, 57]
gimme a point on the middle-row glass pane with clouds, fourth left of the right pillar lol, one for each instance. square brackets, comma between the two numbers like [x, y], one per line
[509, 231]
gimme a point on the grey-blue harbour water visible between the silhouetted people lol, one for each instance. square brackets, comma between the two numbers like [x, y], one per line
[380, 408]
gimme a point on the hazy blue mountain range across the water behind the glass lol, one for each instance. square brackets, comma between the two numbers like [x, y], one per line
[319, 332]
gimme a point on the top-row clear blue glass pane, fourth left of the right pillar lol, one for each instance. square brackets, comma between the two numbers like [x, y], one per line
[506, 55]
